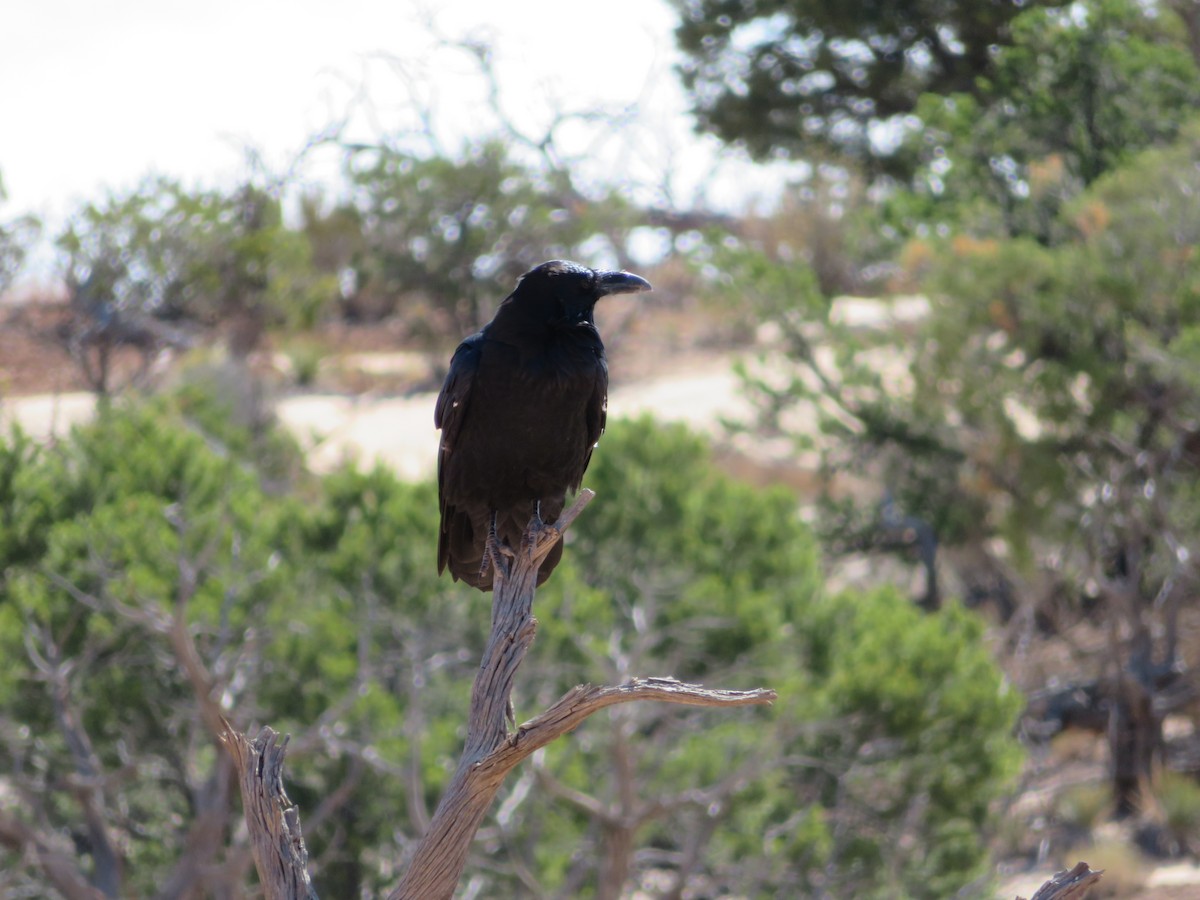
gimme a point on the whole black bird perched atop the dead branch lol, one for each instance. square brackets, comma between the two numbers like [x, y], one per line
[521, 410]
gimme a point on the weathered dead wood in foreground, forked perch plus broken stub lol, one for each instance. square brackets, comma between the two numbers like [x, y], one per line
[490, 753]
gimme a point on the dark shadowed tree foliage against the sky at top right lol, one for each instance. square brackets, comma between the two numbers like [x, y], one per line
[805, 77]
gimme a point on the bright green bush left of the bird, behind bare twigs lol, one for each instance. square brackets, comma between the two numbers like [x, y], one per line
[141, 519]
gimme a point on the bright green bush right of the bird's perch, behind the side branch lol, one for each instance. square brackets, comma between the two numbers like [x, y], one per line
[716, 581]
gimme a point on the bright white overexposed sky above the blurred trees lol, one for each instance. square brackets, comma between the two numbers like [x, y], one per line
[95, 95]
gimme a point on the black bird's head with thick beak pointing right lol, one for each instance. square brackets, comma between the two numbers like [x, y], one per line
[562, 292]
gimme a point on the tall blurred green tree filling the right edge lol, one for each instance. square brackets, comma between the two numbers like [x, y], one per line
[1039, 427]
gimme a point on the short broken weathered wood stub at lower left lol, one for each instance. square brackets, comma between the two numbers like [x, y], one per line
[273, 823]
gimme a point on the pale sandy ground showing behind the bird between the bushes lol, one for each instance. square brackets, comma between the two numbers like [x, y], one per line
[398, 431]
